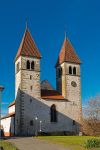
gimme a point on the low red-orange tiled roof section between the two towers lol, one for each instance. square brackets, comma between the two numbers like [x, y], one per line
[51, 94]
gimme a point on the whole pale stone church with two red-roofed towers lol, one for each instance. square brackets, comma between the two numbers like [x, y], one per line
[38, 107]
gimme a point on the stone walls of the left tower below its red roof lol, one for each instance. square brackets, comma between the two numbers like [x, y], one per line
[27, 82]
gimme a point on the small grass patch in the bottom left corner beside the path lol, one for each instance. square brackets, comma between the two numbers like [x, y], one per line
[6, 145]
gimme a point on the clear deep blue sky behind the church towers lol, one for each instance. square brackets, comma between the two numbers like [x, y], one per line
[48, 20]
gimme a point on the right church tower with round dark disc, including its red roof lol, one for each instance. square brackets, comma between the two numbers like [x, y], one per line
[68, 79]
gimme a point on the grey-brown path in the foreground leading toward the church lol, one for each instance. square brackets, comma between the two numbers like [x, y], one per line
[30, 143]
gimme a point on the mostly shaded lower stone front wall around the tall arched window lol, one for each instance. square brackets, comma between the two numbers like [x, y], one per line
[33, 116]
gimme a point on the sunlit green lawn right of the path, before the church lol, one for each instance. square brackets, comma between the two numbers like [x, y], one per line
[72, 142]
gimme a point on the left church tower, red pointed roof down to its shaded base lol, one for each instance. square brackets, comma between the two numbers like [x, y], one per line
[27, 79]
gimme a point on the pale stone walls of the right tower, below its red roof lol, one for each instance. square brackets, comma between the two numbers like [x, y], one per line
[71, 93]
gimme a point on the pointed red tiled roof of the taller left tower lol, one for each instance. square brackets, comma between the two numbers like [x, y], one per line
[28, 47]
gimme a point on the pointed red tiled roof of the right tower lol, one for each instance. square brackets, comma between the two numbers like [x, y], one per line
[67, 54]
